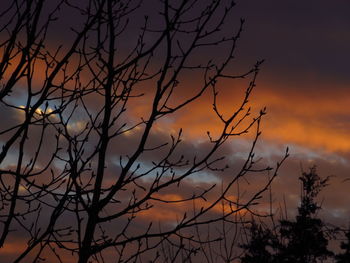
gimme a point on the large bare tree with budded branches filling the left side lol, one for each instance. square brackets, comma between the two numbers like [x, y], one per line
[84, 165]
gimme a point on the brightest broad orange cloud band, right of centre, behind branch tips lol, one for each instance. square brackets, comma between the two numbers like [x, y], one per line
[318, 120]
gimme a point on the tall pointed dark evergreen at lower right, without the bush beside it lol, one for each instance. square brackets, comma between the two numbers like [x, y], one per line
[305, 240]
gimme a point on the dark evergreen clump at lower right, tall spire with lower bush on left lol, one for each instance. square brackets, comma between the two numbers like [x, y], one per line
[303, 240]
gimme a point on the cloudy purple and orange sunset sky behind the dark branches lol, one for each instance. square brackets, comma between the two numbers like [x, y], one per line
[304, 85]
